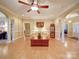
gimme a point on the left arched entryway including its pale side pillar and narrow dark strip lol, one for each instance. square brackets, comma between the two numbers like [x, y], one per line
[5, 28]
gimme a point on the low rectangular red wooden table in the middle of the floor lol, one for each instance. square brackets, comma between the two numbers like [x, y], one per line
[40, 42]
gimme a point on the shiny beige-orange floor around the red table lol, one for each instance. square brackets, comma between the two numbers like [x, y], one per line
[57, 49]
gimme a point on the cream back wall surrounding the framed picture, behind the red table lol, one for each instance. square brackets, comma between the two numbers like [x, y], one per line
[45, 29]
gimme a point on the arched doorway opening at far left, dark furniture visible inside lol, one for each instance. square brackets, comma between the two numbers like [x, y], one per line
[4, 28]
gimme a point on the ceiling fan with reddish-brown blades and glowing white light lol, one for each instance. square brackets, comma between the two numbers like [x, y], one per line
[34, 5]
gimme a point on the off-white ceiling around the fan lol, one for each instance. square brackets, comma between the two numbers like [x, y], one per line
[56, 8]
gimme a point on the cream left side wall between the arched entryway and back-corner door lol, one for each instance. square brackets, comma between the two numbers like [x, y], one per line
[18, 28]
